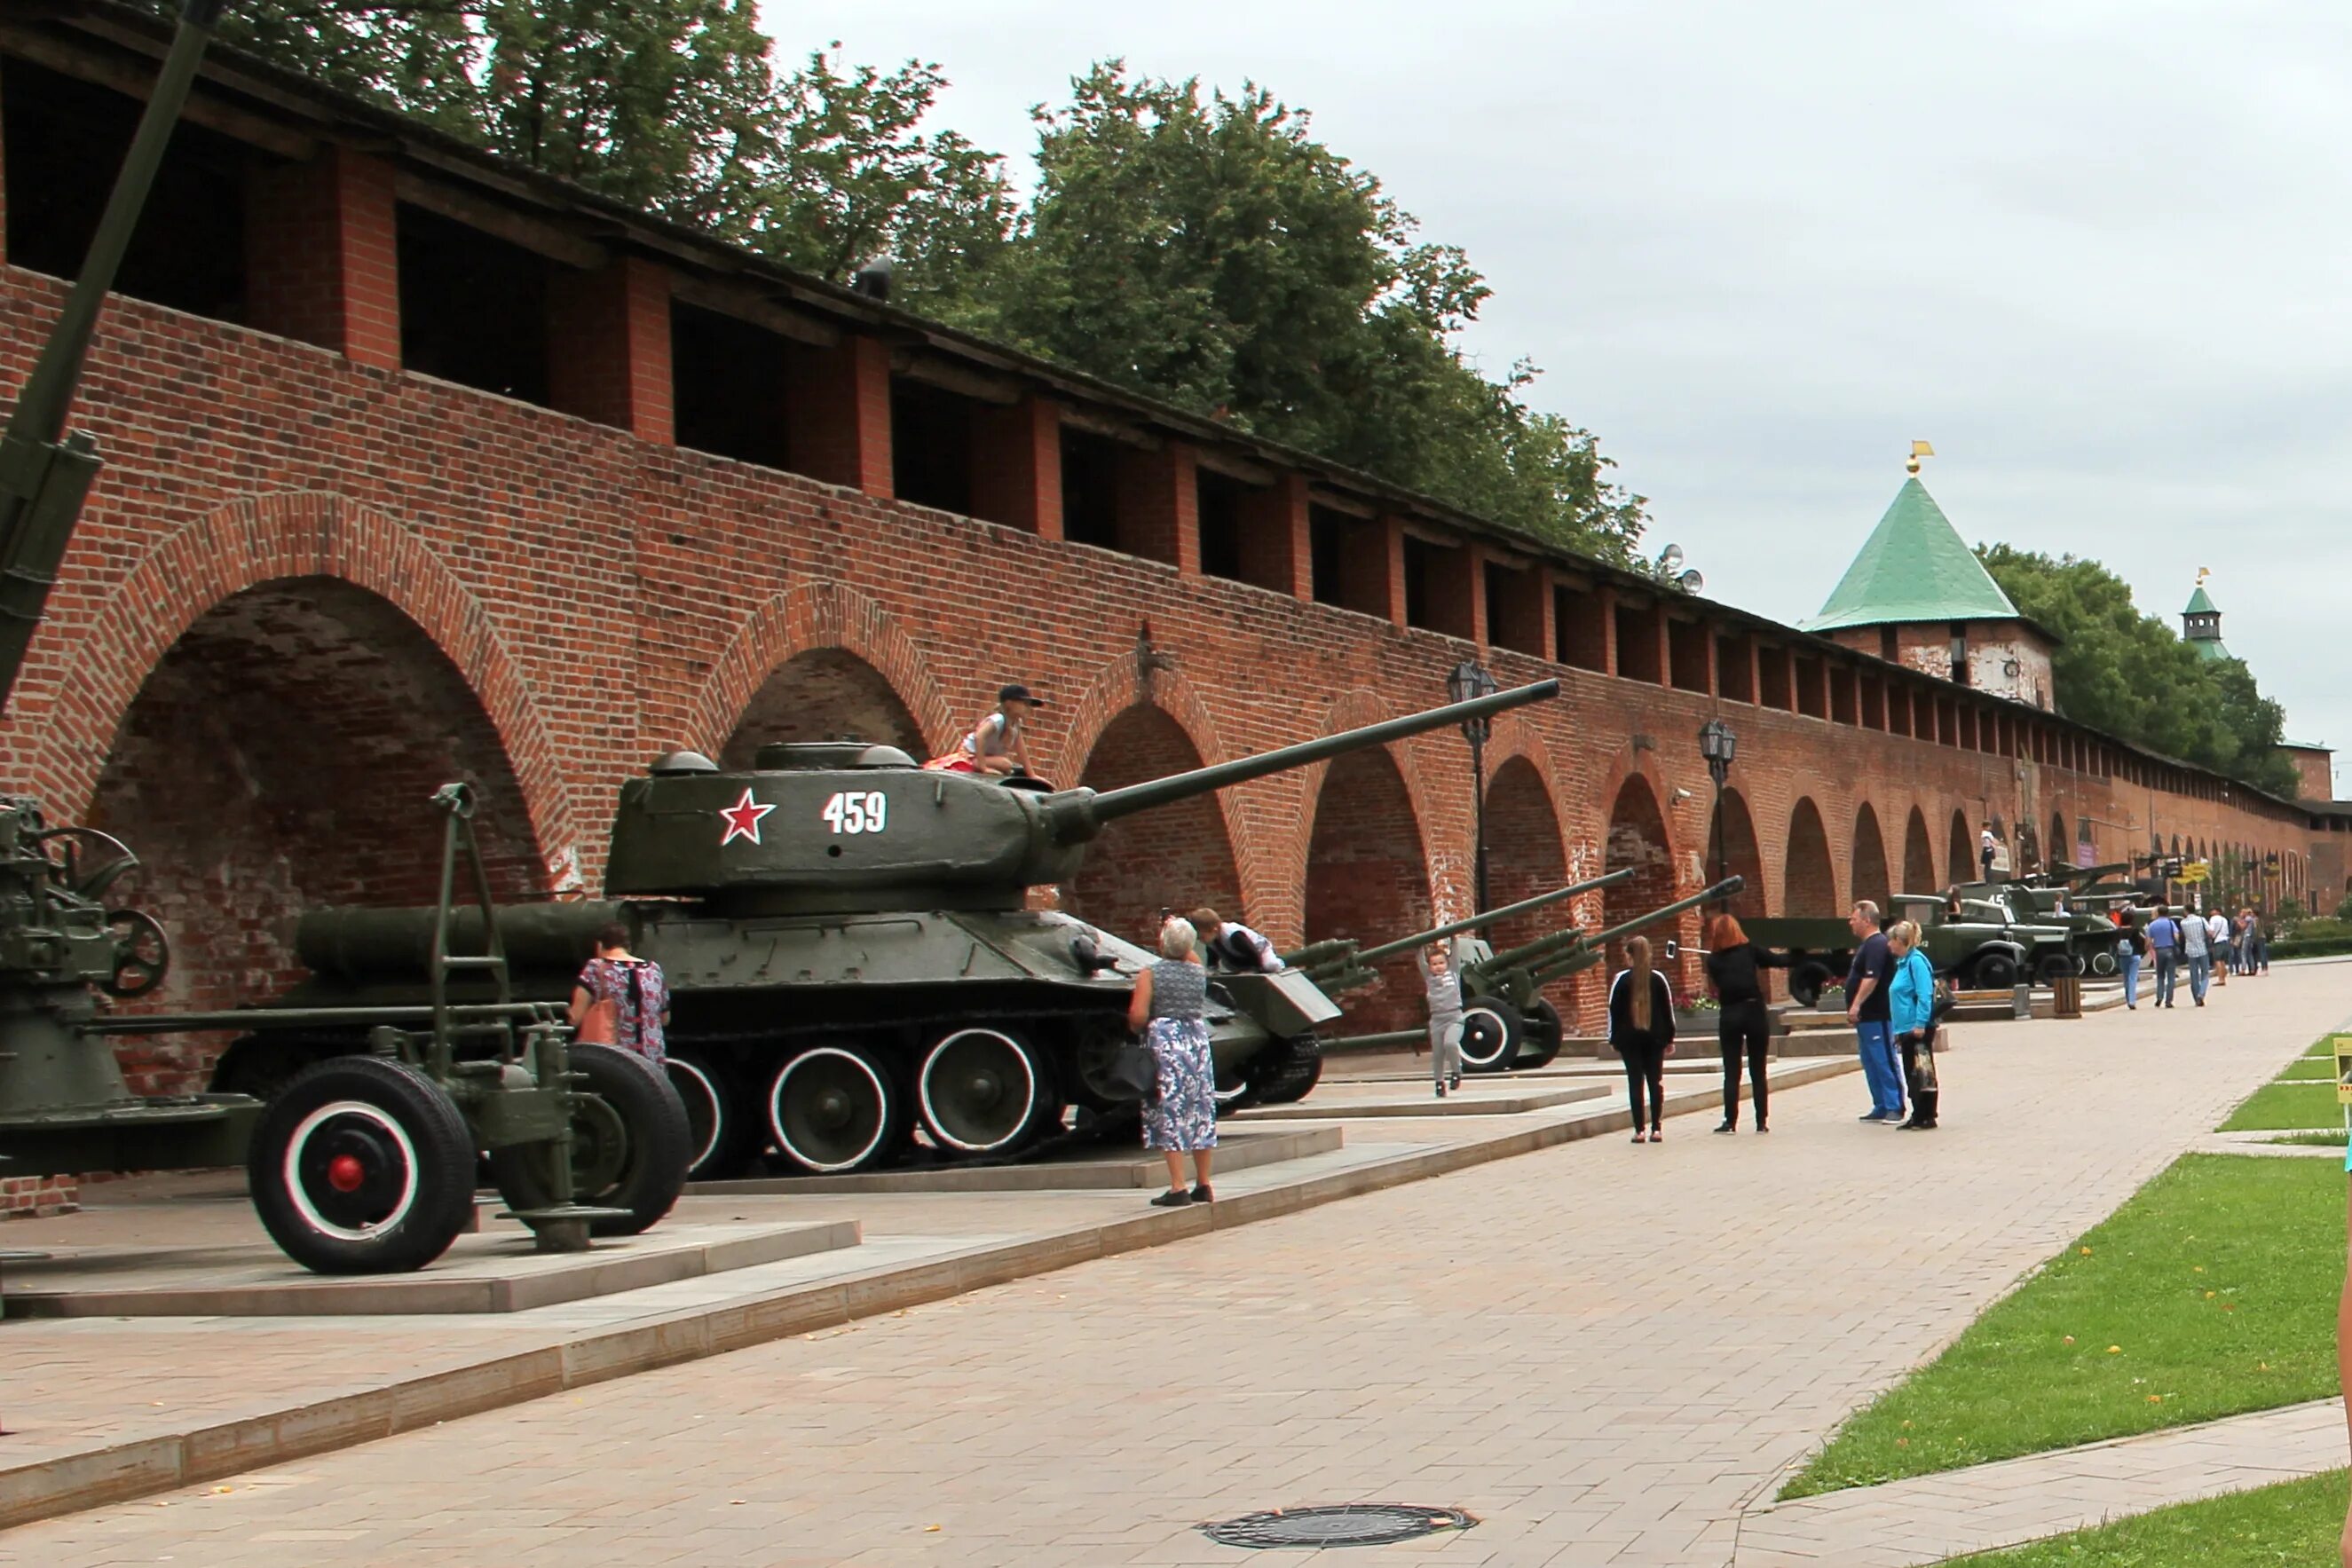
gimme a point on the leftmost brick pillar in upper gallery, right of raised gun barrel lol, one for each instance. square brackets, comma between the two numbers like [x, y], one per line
[323, 255]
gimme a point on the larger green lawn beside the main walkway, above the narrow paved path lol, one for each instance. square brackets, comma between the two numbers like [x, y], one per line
[2207, 1294]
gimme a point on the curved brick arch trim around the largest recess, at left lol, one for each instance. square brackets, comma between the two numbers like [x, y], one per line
[295, 535]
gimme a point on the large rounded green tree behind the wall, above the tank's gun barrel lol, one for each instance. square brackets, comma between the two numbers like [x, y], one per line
[1208, 250]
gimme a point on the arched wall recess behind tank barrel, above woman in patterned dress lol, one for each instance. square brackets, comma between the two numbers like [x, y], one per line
[1177, 857]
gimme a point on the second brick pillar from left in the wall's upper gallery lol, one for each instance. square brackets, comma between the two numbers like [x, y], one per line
[610, 347]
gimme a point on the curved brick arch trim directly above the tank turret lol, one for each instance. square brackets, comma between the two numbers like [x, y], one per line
[810, 617]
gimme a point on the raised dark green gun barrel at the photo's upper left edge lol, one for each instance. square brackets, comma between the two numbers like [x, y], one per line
[44, 474]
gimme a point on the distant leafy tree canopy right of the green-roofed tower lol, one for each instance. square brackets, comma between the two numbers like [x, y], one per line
[2137, 678]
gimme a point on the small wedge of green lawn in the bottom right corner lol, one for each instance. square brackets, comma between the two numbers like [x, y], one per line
[2273, 1527]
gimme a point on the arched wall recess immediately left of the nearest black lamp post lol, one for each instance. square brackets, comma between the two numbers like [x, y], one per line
[1368, 878]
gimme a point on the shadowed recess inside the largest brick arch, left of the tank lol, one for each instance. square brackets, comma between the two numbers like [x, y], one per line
[281, 758]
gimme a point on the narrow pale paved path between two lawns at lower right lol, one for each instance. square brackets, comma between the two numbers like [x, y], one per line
[2047, 1494]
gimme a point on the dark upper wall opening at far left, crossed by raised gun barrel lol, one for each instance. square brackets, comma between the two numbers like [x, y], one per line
[65, 145]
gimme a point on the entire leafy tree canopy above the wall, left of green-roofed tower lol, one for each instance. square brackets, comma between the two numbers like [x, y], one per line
[1201, 248]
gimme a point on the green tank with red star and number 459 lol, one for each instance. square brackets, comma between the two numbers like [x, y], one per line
[853, 953]
